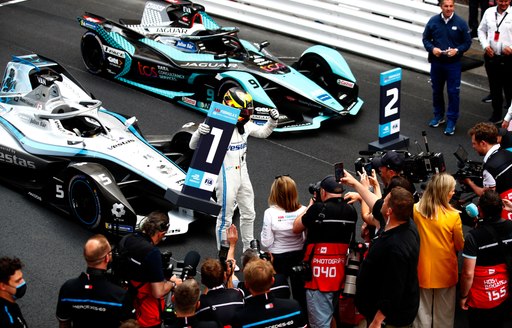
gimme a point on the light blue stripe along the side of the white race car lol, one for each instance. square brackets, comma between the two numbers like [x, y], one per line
[40, 148]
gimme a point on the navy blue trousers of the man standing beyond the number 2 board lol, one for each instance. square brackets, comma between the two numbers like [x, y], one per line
[449, 74]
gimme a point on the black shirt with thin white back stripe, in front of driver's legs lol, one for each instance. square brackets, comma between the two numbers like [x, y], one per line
[220, 304]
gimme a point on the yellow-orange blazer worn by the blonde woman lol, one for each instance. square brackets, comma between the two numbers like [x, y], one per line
[440, 240]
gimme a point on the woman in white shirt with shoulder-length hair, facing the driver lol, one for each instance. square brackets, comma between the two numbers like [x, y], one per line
[277, 234]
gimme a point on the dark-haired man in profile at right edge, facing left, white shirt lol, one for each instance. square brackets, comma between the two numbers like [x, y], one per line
[497, 166]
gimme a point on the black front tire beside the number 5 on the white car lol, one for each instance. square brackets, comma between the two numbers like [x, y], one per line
[84, 201]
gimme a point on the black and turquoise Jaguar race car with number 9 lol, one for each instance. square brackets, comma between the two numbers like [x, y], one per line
[179, 52]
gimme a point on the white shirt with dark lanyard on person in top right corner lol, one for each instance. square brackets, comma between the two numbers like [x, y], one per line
[489, 25]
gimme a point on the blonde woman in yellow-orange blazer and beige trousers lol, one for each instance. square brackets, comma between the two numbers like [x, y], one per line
[441, 237]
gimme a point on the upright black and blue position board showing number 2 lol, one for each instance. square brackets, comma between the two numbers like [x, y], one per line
[389, 120]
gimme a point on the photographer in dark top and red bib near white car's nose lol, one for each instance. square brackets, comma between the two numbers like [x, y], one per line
[146, 269]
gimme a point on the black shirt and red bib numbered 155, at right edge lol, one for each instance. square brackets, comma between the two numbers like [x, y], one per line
[489, 291]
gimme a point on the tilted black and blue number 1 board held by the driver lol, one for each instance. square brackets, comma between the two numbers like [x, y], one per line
[211, 149]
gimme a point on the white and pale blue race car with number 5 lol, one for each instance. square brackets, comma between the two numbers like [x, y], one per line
[62, 148]
